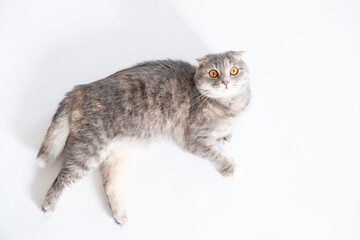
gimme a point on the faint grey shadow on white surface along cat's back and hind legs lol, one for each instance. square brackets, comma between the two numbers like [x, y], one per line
[161, 33]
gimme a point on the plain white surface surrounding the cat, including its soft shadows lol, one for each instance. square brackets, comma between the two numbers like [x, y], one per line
[297, 148]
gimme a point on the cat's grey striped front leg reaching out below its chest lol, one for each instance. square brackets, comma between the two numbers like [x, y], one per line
[206, 148]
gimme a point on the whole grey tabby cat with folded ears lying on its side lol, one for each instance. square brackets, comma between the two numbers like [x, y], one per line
[96, 123]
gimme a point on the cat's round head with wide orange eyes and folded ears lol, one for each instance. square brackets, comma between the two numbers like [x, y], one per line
[221, 75]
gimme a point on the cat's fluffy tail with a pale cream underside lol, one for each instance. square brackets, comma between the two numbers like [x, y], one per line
[56, 135]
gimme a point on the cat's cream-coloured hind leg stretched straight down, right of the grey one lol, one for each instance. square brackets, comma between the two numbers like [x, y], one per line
[114, 172]
